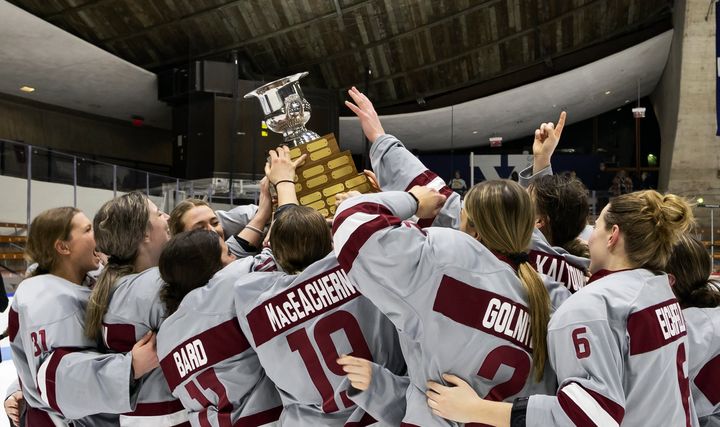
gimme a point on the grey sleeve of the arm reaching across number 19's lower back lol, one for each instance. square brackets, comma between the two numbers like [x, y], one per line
[385, 397]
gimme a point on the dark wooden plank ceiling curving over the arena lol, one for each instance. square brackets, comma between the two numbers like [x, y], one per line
[423, 54]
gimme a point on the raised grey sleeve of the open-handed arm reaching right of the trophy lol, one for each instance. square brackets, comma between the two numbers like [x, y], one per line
[398, 169]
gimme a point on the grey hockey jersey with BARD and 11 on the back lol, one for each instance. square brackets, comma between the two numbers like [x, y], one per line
[208, 362]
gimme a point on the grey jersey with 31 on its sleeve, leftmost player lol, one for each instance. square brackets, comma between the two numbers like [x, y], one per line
[62, 374]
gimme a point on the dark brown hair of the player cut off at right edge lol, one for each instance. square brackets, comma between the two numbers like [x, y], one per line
[691, 265]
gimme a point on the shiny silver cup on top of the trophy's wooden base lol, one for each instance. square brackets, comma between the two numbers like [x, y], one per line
[286, 110]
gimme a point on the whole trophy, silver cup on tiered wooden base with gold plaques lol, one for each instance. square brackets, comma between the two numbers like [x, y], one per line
[327, 171]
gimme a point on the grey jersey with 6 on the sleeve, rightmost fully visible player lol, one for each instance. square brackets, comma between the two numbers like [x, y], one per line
[620, 350]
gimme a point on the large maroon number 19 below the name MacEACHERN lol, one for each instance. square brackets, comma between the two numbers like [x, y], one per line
[324, 328]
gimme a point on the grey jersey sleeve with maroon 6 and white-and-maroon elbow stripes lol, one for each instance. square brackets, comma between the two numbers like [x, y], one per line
[588, 363]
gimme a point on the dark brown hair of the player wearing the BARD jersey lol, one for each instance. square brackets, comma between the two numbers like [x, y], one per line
[187, 262]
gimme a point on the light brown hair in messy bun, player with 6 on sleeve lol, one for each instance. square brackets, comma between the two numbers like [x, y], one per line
[651, 223]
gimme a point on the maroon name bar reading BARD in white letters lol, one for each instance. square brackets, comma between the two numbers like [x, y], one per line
[217, 343]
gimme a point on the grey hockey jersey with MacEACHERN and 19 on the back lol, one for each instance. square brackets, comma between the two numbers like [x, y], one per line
[299, 325]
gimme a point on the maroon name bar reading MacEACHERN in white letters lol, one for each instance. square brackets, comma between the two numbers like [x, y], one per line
[300, 303]
